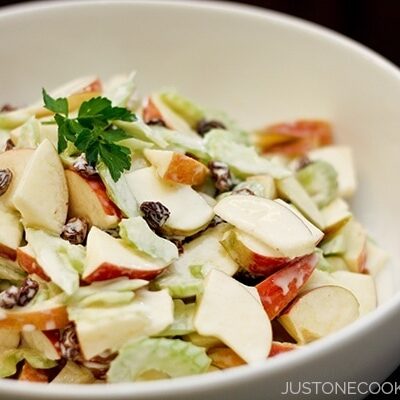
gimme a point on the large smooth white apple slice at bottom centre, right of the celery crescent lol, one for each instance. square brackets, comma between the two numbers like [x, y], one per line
[223, 307]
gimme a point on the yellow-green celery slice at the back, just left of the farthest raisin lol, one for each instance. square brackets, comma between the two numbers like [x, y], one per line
[184, 107]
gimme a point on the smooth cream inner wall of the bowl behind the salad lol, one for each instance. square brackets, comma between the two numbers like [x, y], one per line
[259, 67]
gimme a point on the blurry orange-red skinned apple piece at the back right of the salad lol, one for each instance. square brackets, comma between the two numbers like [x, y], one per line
[294, 139]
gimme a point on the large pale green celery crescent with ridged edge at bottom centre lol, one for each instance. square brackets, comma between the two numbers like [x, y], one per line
[171, 356]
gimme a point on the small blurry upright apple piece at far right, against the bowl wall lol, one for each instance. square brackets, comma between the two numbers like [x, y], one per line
[356, 241]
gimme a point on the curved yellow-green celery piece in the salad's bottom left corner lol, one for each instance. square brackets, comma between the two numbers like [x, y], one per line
[10, 358]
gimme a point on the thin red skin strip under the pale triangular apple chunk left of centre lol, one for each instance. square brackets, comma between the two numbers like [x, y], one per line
[109, 271]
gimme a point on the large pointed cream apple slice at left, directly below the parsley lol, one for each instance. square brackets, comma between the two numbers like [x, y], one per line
[42, 194]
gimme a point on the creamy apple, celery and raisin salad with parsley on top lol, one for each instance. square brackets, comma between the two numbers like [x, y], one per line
[151, 238]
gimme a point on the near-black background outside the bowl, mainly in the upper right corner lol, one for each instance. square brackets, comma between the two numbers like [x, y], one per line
[375, 23]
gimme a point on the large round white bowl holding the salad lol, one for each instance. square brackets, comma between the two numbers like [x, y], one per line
[261, 67]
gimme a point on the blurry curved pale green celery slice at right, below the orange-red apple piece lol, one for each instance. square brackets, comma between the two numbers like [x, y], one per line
[319, 179]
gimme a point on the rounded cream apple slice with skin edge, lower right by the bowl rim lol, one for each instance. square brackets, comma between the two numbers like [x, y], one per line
[320, 312]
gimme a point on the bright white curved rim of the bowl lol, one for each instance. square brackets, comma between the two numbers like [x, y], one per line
[239, 375]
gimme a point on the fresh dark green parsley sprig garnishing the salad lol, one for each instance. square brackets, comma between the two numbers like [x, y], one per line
[92, 131]
